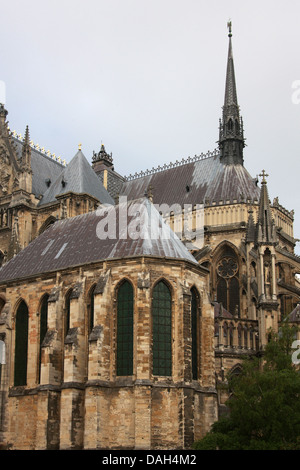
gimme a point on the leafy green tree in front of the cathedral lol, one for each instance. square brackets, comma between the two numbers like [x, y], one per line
[264, 408]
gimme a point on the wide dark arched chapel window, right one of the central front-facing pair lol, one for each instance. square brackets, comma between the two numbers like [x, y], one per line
[162, 329]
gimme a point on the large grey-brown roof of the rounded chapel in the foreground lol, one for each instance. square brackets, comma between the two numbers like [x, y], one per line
[80, 240]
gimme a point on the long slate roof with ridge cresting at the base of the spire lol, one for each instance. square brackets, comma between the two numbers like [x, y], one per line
[196, 182]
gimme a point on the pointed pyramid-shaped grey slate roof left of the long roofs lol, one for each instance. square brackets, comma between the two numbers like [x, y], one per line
[77, 177]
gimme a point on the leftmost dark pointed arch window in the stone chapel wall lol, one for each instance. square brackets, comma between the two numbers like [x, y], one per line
[21, 345]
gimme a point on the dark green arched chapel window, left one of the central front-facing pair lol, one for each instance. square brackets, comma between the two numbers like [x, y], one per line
[125, 329]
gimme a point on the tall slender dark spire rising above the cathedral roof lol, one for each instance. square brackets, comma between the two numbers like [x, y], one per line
[231, 138]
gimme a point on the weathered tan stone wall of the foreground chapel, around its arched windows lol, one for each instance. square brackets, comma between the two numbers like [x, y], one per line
[73, 398]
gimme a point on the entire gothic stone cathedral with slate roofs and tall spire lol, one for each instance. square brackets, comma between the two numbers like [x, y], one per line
[122, 339]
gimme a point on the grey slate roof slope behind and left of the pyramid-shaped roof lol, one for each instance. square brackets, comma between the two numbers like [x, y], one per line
[43, 168]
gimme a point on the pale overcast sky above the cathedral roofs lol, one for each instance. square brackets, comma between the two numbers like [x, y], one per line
[147, 78]
